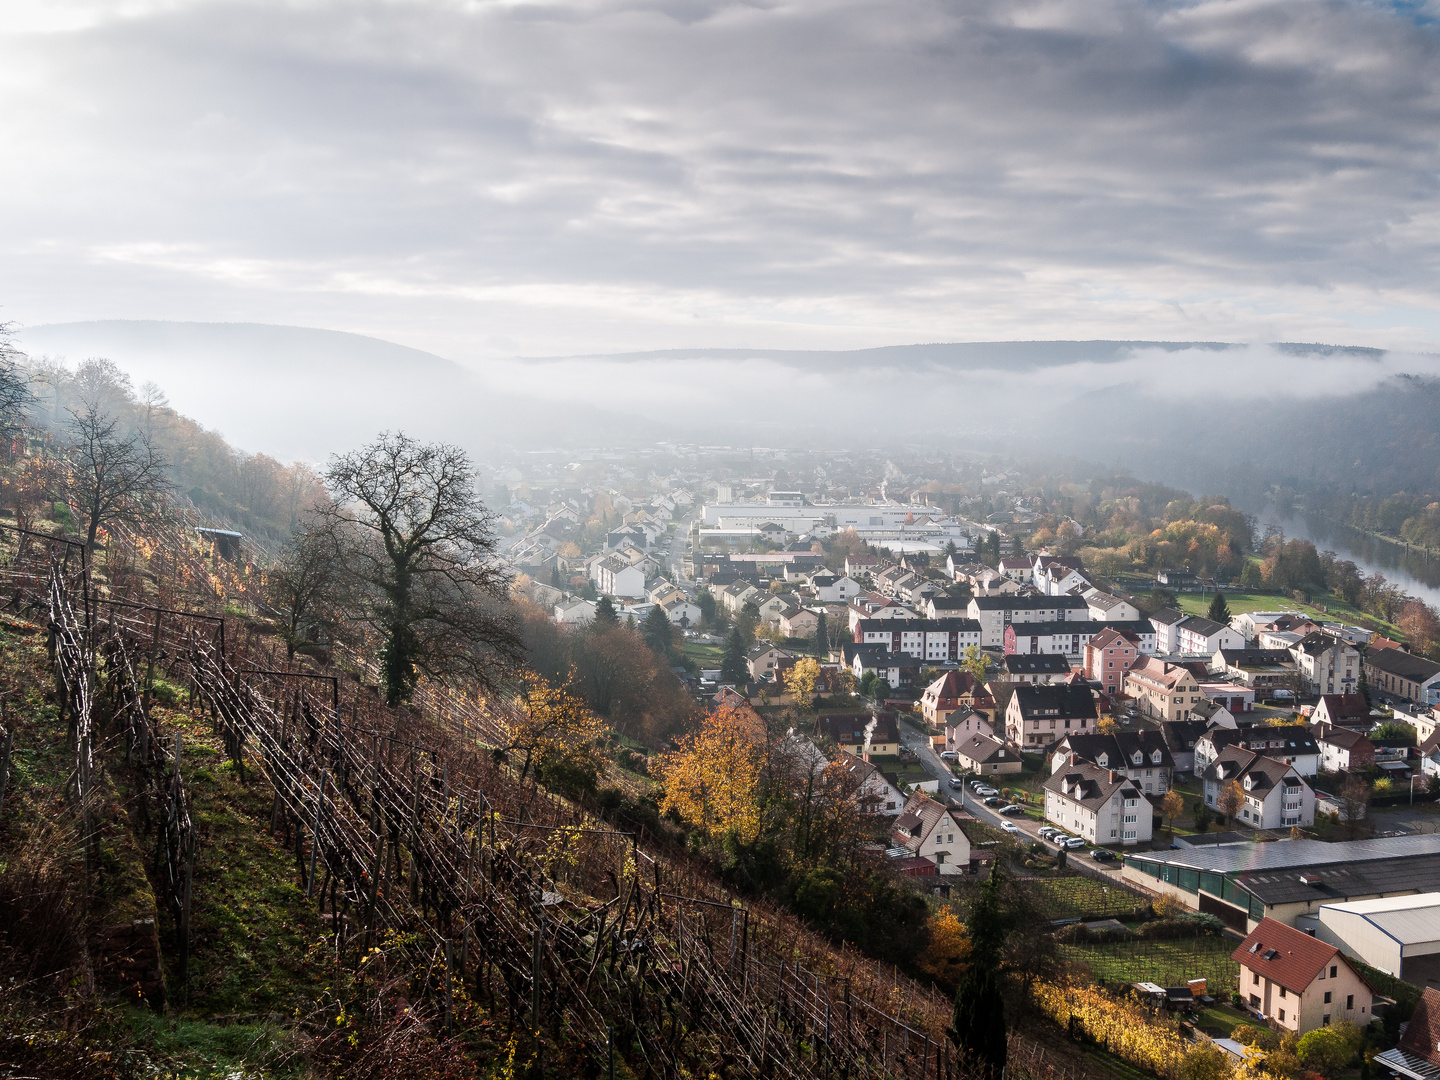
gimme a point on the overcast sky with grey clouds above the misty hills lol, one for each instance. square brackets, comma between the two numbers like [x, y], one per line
[496, 179]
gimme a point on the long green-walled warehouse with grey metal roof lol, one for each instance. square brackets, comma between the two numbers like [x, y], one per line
[1287, 879]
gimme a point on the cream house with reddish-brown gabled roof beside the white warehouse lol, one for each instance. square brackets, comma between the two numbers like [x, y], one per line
[1300, 983]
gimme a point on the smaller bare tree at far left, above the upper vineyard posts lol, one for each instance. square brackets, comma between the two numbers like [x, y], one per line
[107, 477]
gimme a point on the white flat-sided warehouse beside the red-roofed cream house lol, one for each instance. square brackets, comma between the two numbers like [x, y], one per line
[1400, 935]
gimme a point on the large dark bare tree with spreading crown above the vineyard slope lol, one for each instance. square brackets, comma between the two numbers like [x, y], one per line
[418, 551]
